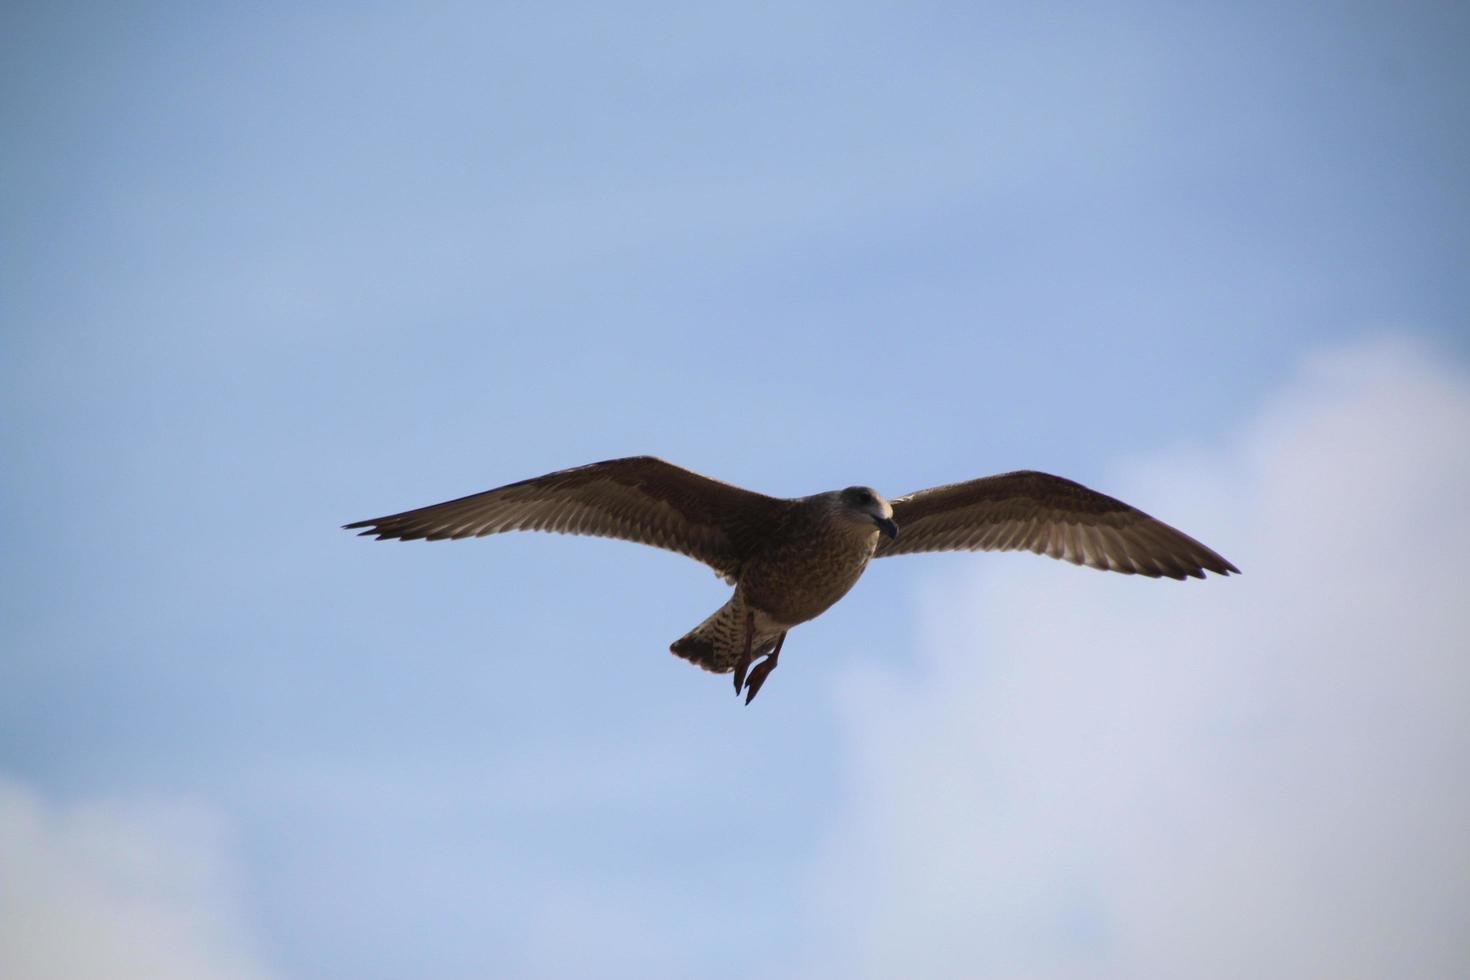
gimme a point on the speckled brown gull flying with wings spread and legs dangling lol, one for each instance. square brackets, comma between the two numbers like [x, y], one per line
[792, 559]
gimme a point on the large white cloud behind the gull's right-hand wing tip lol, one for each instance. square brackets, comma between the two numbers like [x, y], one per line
[1263, 777]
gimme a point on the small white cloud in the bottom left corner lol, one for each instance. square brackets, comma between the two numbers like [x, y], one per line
[117, 891]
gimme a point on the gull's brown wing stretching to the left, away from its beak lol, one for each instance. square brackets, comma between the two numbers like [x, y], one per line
[639, 499]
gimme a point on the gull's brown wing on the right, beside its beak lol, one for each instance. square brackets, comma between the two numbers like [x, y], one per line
[1052, 516]
